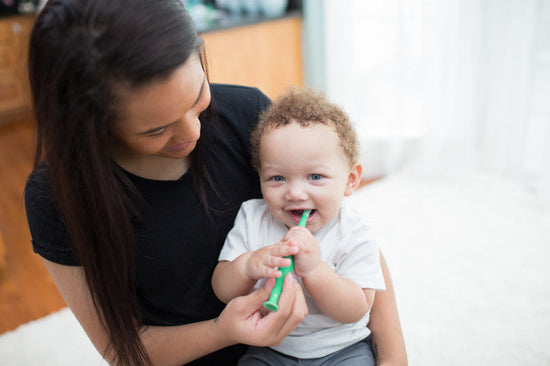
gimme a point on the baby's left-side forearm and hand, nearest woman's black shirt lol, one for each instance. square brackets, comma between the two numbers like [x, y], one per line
[238, 277]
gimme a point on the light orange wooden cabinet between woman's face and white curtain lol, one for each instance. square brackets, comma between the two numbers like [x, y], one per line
[267, 55]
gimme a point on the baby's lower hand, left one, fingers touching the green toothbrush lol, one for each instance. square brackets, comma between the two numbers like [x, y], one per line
[262, 262]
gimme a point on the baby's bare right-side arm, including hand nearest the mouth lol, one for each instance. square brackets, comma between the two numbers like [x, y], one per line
[339, 298]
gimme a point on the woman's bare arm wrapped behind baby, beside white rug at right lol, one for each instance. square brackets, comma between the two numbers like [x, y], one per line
[387, 337]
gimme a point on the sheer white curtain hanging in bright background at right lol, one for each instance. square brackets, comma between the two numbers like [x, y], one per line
[440, 85]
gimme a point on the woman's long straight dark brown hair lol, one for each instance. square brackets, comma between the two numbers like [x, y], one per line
[78, 50]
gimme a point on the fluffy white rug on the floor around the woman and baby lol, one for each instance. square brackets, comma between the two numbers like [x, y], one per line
[470, 260]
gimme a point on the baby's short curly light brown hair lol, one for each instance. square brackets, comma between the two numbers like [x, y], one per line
[305, 106]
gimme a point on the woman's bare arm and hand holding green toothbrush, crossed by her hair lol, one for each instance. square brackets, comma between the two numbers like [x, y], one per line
[240, 322]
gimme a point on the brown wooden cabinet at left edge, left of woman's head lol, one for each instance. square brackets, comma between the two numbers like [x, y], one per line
[14, 89]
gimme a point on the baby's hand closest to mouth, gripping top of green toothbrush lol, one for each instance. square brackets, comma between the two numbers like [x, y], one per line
[309, 254]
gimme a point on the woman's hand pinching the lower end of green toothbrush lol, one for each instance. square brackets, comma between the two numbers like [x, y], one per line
[243, 321]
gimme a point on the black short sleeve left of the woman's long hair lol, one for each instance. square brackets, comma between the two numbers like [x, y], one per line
[48, 233]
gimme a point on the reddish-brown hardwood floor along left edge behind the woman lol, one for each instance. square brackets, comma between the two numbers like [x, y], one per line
[26, 289]
